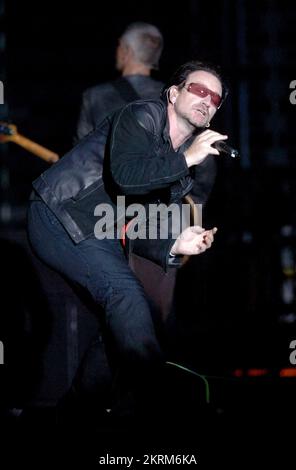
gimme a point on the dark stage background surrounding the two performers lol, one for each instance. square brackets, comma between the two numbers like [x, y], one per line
[236, 310]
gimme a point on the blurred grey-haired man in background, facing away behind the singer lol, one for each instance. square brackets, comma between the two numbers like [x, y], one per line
[137, 54]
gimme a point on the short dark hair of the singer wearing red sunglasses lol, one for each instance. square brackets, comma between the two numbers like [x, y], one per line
[181, 74]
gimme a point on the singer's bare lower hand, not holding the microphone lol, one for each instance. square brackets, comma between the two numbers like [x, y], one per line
[193, 241]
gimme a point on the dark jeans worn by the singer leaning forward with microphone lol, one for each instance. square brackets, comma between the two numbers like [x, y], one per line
[101, 267]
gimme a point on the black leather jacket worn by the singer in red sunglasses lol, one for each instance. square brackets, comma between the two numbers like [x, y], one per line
[129, 154]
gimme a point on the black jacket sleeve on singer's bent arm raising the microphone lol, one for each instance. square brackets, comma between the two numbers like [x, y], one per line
[136, 165]
